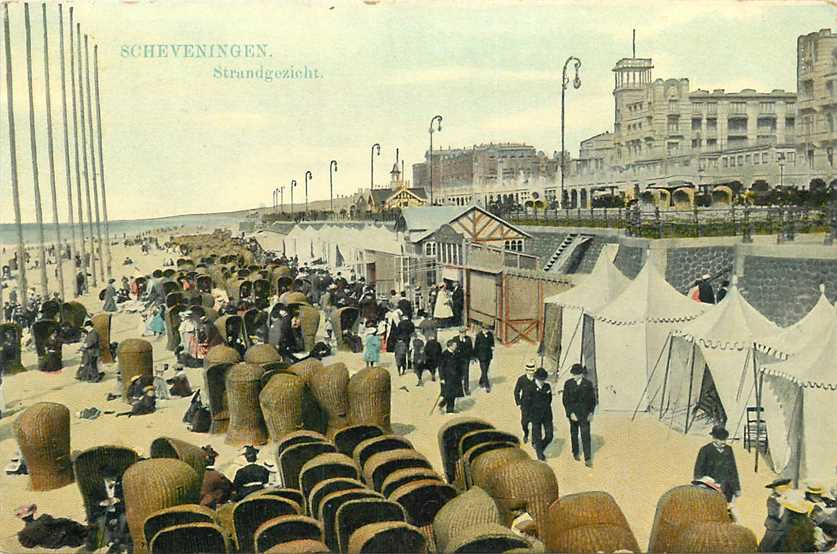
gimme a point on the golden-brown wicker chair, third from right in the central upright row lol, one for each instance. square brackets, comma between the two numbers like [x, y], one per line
[281, 403]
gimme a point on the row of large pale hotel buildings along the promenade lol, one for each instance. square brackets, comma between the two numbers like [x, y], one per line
[668, 143]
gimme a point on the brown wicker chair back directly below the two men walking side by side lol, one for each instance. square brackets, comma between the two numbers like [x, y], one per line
[527, 485]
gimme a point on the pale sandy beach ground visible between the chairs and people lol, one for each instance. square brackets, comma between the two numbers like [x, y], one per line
[635, 461]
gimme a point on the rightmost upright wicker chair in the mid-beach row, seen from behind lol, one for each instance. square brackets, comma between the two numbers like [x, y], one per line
[369, 395]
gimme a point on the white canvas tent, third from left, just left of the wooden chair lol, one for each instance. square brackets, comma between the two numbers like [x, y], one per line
[717, 349]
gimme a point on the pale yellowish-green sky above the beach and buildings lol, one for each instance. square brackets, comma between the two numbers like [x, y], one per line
[178, 139]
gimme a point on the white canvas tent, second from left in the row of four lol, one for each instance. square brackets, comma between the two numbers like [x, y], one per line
[626, 337]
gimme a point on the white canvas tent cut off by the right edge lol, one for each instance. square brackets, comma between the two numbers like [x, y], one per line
[799, 397]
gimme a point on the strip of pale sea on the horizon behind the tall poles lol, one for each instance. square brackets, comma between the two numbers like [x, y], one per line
[120, 228]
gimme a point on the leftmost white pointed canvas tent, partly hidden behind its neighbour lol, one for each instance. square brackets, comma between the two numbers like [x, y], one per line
[564, 311]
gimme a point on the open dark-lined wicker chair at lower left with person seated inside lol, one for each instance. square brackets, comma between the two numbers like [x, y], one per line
[92, 466]
